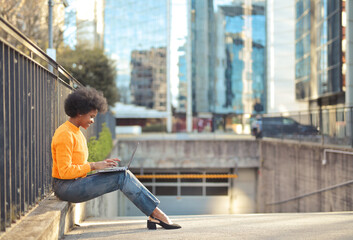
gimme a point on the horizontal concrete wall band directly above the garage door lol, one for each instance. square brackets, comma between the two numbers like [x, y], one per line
[242, 153]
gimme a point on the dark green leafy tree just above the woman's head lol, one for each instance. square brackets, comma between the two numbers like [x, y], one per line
[92, 68]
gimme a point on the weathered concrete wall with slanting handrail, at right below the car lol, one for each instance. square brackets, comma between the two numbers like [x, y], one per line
[290, 169]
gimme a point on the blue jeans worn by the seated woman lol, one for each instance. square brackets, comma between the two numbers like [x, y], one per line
[95, 185]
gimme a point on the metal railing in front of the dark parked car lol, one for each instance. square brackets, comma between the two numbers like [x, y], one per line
[333, 124]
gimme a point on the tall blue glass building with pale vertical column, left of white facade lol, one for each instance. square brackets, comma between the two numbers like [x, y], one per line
[228, 56]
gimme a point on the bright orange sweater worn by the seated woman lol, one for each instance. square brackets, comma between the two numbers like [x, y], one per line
[69, 152]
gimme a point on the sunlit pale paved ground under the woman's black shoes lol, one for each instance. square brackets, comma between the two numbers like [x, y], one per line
[321, 226]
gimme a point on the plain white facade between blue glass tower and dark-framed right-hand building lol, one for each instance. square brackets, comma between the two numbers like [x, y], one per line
[280, 29]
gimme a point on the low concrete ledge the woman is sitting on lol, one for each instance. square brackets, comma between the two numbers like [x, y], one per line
[49, 220]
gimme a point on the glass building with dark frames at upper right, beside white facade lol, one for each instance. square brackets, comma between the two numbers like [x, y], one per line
[320, 55]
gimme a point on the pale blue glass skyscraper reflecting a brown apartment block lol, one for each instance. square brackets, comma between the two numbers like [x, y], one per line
[136, 38]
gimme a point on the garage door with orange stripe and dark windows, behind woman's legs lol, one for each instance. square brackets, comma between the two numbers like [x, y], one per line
[184, 192]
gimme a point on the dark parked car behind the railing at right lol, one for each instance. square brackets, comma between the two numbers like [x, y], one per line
[277, 126]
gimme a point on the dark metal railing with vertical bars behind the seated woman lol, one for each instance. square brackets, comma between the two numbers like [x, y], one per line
[31, 108]
